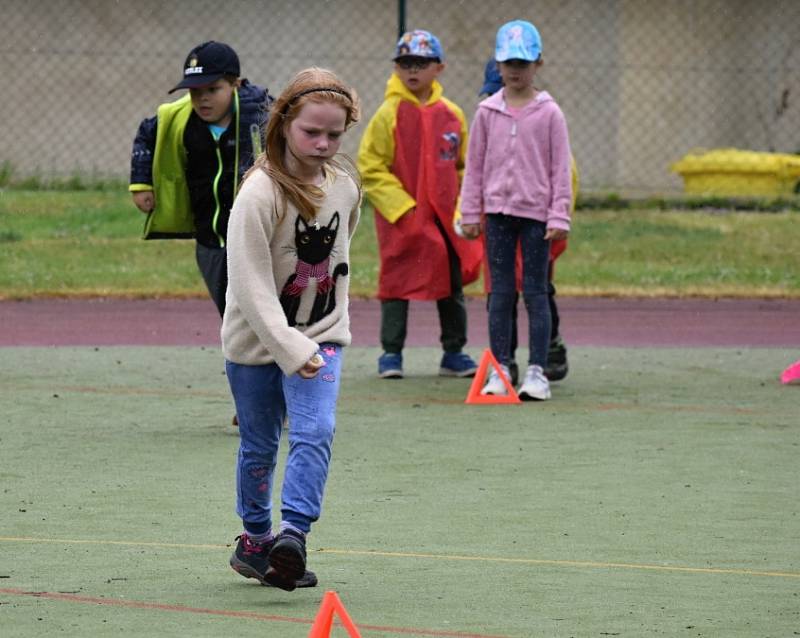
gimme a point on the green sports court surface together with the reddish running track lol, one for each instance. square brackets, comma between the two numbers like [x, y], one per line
[656, 494]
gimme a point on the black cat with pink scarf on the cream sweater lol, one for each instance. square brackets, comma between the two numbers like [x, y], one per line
[313, 244]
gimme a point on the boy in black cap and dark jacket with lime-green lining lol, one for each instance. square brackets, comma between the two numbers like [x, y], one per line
[188, 160]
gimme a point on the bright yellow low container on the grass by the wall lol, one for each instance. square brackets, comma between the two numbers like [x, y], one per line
[734, 173]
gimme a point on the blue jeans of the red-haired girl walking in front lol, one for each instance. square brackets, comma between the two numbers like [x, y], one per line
[264, 397]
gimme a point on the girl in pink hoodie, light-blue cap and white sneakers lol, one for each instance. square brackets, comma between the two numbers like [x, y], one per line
[518, 183]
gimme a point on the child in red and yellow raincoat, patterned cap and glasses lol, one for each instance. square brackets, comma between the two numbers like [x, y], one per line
[411, 160]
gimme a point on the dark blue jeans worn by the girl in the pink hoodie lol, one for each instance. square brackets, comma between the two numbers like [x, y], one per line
[502, 234]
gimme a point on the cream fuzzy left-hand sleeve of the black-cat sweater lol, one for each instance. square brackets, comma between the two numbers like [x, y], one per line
[251, 281]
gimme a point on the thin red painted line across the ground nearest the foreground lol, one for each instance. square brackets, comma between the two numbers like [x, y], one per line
[138, 604]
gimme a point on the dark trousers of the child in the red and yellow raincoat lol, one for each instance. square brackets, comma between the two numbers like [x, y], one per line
[452, 314]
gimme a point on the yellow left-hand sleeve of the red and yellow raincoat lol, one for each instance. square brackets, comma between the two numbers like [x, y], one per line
[375, 159]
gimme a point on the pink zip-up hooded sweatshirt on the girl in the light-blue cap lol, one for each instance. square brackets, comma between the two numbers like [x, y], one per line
[518, 166]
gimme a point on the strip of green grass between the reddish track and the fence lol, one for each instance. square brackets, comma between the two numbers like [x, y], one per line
[87, 243]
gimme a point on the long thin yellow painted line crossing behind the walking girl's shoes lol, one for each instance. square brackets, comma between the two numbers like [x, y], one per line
[454, 557]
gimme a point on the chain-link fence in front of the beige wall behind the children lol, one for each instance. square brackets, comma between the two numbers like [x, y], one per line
[642, 82]
